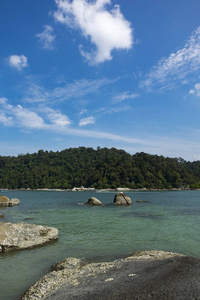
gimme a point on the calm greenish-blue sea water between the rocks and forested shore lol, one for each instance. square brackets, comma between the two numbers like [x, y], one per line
[169, 222]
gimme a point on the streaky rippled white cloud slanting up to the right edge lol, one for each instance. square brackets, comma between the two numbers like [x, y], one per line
[173, 70]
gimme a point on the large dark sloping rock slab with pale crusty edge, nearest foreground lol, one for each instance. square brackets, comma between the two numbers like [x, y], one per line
[148, 275]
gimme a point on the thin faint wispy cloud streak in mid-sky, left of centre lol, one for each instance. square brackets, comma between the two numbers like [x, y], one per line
[79, 88]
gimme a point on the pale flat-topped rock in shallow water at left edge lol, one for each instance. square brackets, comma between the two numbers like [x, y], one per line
[22, 236]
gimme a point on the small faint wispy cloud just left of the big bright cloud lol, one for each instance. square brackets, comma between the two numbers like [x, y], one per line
[47, 37]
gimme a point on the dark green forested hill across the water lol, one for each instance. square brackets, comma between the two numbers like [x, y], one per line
[101, 168]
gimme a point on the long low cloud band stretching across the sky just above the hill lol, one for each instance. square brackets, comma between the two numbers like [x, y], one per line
[58, 125]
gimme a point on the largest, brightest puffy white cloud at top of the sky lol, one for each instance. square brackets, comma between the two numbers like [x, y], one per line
[106, 29]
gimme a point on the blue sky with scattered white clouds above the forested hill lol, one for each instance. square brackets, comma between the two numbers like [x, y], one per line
[108, 73]
